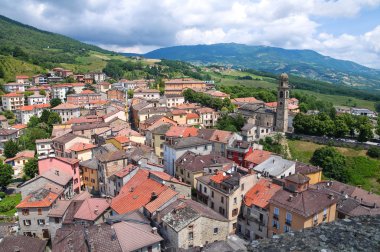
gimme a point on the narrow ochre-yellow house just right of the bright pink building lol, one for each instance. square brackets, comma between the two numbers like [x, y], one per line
[89, 175]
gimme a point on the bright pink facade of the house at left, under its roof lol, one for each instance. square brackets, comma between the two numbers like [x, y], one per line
[68, 165]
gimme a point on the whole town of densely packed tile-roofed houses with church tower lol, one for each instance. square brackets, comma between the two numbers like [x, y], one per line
[133, 166]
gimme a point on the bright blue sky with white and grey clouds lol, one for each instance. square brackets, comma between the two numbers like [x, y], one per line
[344, 29]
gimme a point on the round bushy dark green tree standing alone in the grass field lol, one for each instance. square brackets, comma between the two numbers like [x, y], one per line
[332, 162]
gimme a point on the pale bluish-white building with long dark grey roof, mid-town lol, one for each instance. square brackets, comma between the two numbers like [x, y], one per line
[177, 147]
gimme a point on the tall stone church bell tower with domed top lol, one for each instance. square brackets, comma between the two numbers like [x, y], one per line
[282, 104]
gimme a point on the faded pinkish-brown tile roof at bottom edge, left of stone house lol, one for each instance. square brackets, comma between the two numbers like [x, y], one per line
[134, 236]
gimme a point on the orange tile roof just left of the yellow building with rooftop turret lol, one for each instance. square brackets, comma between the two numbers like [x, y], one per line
[260, 194]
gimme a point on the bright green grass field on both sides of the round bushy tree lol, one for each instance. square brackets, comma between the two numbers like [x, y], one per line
[364, 171]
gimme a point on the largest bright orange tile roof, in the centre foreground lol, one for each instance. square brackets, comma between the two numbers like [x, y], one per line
[137, 193]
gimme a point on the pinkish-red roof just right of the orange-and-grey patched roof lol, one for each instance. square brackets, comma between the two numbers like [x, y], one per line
[92, 208]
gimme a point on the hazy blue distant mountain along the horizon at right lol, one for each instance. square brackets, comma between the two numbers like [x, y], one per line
[305, 63]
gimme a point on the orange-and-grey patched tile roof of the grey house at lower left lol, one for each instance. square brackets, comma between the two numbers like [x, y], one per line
[39, 198]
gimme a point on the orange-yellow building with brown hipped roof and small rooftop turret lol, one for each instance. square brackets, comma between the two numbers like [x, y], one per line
[298, 206]
